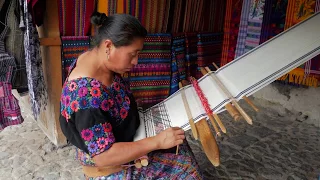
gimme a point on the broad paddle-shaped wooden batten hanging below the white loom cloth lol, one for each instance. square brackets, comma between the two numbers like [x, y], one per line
[207, 140]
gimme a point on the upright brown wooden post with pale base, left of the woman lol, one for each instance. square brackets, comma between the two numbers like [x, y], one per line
[50, 42]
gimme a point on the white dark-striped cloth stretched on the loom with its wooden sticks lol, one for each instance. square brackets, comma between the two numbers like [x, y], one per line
[229, 84]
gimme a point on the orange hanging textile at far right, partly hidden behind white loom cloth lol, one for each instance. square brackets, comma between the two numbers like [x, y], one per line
[309, 73]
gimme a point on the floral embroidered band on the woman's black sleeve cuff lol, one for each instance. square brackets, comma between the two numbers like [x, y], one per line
[98, 138]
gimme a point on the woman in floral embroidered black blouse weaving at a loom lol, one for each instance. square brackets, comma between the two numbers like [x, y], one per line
[99, 114]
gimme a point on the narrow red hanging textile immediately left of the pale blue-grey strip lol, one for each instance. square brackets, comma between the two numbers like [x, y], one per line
[232, 21]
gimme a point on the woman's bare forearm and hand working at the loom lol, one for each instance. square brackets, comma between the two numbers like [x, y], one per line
[124, 152]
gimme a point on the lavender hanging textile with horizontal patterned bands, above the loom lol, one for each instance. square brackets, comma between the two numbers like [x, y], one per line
[255, 21]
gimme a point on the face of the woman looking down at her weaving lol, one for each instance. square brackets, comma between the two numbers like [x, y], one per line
[124, 58]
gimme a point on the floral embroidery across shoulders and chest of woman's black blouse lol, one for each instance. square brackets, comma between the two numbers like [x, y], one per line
[83, 93]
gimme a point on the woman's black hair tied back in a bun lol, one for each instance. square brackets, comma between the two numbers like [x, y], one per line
[121, 29]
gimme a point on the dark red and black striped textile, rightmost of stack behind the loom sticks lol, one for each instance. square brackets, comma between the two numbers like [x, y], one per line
[209, 50]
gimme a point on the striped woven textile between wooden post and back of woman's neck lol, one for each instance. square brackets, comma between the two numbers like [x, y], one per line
[72, 47]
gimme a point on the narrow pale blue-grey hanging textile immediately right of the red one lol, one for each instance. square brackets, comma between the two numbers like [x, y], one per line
[243, 27]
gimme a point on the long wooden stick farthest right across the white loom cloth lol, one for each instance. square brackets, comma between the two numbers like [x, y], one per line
[234, 102]
